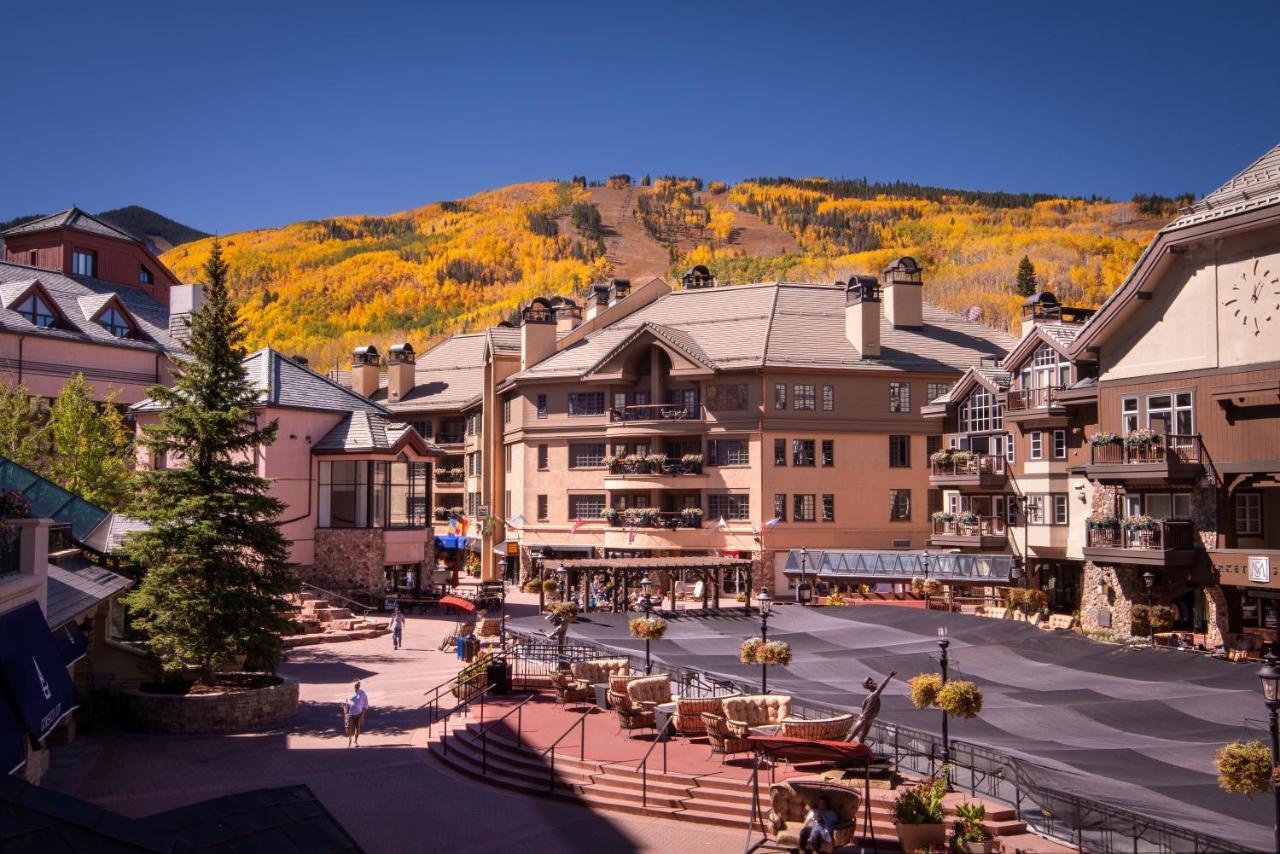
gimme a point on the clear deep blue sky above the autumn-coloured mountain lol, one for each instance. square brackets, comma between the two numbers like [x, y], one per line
[234, 116]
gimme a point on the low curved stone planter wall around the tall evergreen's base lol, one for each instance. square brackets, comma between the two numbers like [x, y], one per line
[209, 714]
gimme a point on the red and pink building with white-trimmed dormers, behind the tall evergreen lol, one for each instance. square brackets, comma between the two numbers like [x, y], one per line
[80, 296]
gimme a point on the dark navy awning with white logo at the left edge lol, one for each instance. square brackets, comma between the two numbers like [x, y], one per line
[38, 678]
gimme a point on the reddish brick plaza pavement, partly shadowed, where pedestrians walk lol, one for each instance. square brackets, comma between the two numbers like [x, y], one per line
[391, 796]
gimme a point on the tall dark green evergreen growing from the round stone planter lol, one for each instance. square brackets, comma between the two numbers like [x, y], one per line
[216, 561]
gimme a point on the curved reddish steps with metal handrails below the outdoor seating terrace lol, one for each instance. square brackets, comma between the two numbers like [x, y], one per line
[720, 801]
